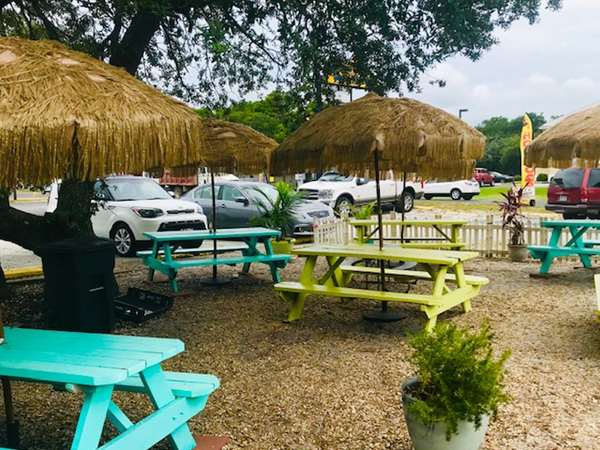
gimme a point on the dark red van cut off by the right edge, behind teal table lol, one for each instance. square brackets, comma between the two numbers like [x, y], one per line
[575, 193]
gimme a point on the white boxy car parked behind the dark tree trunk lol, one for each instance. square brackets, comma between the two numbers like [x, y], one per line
[130, 206]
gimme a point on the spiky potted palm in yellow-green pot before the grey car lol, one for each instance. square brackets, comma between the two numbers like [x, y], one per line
[279, 215]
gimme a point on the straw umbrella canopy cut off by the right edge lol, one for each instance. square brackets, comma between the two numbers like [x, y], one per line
[576, 137]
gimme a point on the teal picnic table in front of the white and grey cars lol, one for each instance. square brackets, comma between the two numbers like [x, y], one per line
[161, 257]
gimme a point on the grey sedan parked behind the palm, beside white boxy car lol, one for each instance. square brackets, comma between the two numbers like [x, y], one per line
[239, 201]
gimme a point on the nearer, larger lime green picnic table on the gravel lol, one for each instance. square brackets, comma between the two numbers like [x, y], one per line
[444, 269]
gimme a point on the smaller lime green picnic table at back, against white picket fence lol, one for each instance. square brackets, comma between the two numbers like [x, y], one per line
[365, 228]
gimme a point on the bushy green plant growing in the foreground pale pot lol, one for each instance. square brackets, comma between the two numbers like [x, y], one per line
[458, 377]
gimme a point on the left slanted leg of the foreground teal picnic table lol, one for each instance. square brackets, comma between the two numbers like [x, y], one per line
[92, 418]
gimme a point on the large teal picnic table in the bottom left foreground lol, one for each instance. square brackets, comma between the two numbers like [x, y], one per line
[96, 365]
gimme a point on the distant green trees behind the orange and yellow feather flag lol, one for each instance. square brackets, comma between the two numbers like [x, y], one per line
[503, 135]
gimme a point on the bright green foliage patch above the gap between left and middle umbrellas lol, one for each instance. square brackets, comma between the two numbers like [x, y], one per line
[276, 116]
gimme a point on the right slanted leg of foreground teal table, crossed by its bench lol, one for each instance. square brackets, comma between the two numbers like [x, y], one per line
[160, 394]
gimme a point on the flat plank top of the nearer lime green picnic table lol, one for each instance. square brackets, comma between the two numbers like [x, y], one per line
[370, 251]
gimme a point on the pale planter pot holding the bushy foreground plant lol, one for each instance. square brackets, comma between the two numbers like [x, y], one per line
[434, 437]
